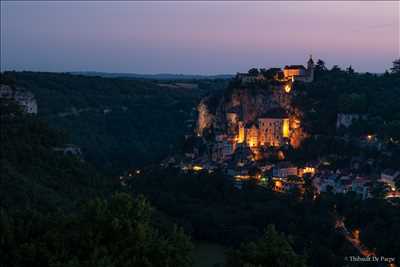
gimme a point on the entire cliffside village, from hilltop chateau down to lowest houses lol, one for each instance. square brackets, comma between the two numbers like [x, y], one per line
[247, 132]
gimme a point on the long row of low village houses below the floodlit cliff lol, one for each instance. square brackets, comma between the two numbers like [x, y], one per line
[285, 176]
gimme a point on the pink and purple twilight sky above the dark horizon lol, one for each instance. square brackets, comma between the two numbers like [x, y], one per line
[196, 37]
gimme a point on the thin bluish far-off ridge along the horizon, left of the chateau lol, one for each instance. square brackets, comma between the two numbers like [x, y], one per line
[160, 76]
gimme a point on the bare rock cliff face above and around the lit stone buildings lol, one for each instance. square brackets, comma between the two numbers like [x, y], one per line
[246, 103]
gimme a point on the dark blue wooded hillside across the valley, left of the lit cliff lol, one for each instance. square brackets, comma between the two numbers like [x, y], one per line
[118, 123]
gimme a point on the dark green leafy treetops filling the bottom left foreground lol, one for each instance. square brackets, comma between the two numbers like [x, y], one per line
[118, 232]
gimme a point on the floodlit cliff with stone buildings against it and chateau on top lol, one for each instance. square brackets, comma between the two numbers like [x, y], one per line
[255, 113]
